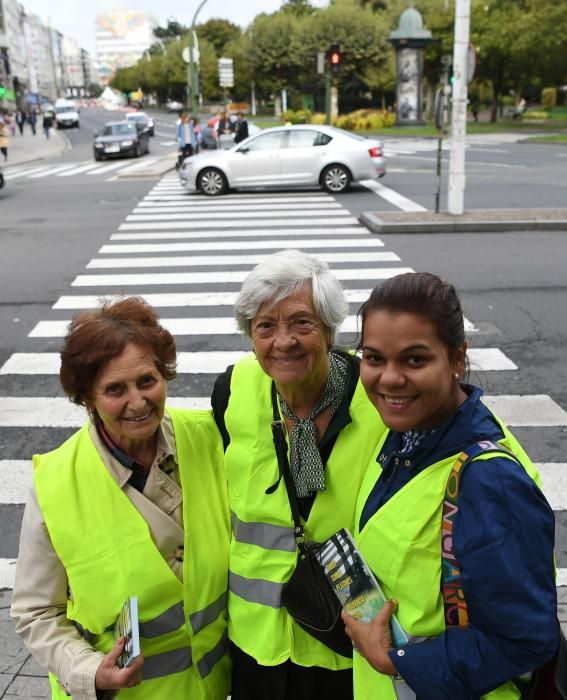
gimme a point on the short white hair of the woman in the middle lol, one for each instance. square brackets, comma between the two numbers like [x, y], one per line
[284, 273]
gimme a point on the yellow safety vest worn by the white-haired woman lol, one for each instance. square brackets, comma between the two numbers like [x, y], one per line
[263, 551]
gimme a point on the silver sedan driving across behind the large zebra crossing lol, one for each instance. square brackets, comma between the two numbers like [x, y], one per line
[287, 156]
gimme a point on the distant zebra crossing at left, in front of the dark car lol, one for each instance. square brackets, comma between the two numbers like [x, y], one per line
[87, 168]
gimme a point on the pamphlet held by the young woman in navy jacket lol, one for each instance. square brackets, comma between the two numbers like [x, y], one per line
[354, 584]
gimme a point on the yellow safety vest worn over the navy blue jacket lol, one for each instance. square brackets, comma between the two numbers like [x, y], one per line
[401, 543]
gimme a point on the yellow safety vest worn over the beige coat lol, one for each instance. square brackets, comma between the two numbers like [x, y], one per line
[106, 548]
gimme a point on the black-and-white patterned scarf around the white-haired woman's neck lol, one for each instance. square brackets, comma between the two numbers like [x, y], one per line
[306, 465]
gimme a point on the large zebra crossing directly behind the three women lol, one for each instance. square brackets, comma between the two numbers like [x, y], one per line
[187, 255]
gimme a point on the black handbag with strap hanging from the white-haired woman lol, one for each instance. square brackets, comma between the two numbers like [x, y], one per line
[308, 595]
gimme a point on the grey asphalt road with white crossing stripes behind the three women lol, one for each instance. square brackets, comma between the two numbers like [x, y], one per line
[513, 285]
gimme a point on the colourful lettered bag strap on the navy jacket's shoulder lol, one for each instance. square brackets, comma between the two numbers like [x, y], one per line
[454, 602]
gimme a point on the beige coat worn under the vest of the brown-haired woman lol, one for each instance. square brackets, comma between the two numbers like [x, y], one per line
[39, 601]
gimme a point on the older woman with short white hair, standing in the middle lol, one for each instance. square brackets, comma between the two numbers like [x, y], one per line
[290, 307]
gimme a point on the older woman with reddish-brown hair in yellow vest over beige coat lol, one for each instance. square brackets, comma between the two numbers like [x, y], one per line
[133, 504]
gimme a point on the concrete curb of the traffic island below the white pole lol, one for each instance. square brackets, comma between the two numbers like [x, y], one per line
[378, 225]
